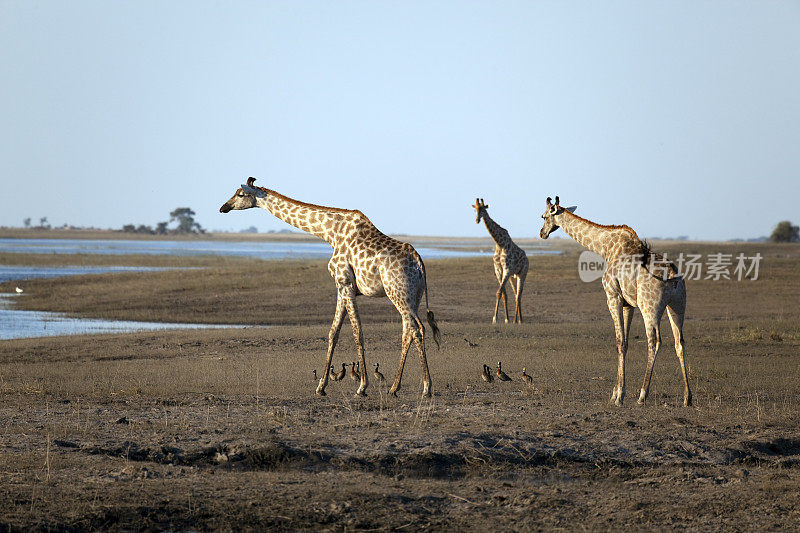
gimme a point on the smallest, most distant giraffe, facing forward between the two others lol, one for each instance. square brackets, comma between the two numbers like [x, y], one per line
[509, 262]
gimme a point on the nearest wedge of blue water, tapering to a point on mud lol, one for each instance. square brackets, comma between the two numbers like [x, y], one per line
[18, 324]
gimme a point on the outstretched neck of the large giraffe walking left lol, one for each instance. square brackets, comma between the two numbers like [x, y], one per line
[324, 222]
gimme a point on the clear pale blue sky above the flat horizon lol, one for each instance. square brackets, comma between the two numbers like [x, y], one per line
[676, 118]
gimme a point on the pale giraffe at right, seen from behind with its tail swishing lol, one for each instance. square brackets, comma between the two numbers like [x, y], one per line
[634, 277]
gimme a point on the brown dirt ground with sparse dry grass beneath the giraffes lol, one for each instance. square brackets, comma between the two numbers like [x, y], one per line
[220, 429]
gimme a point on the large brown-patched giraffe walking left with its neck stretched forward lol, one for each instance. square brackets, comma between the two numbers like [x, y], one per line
[364, 261]
